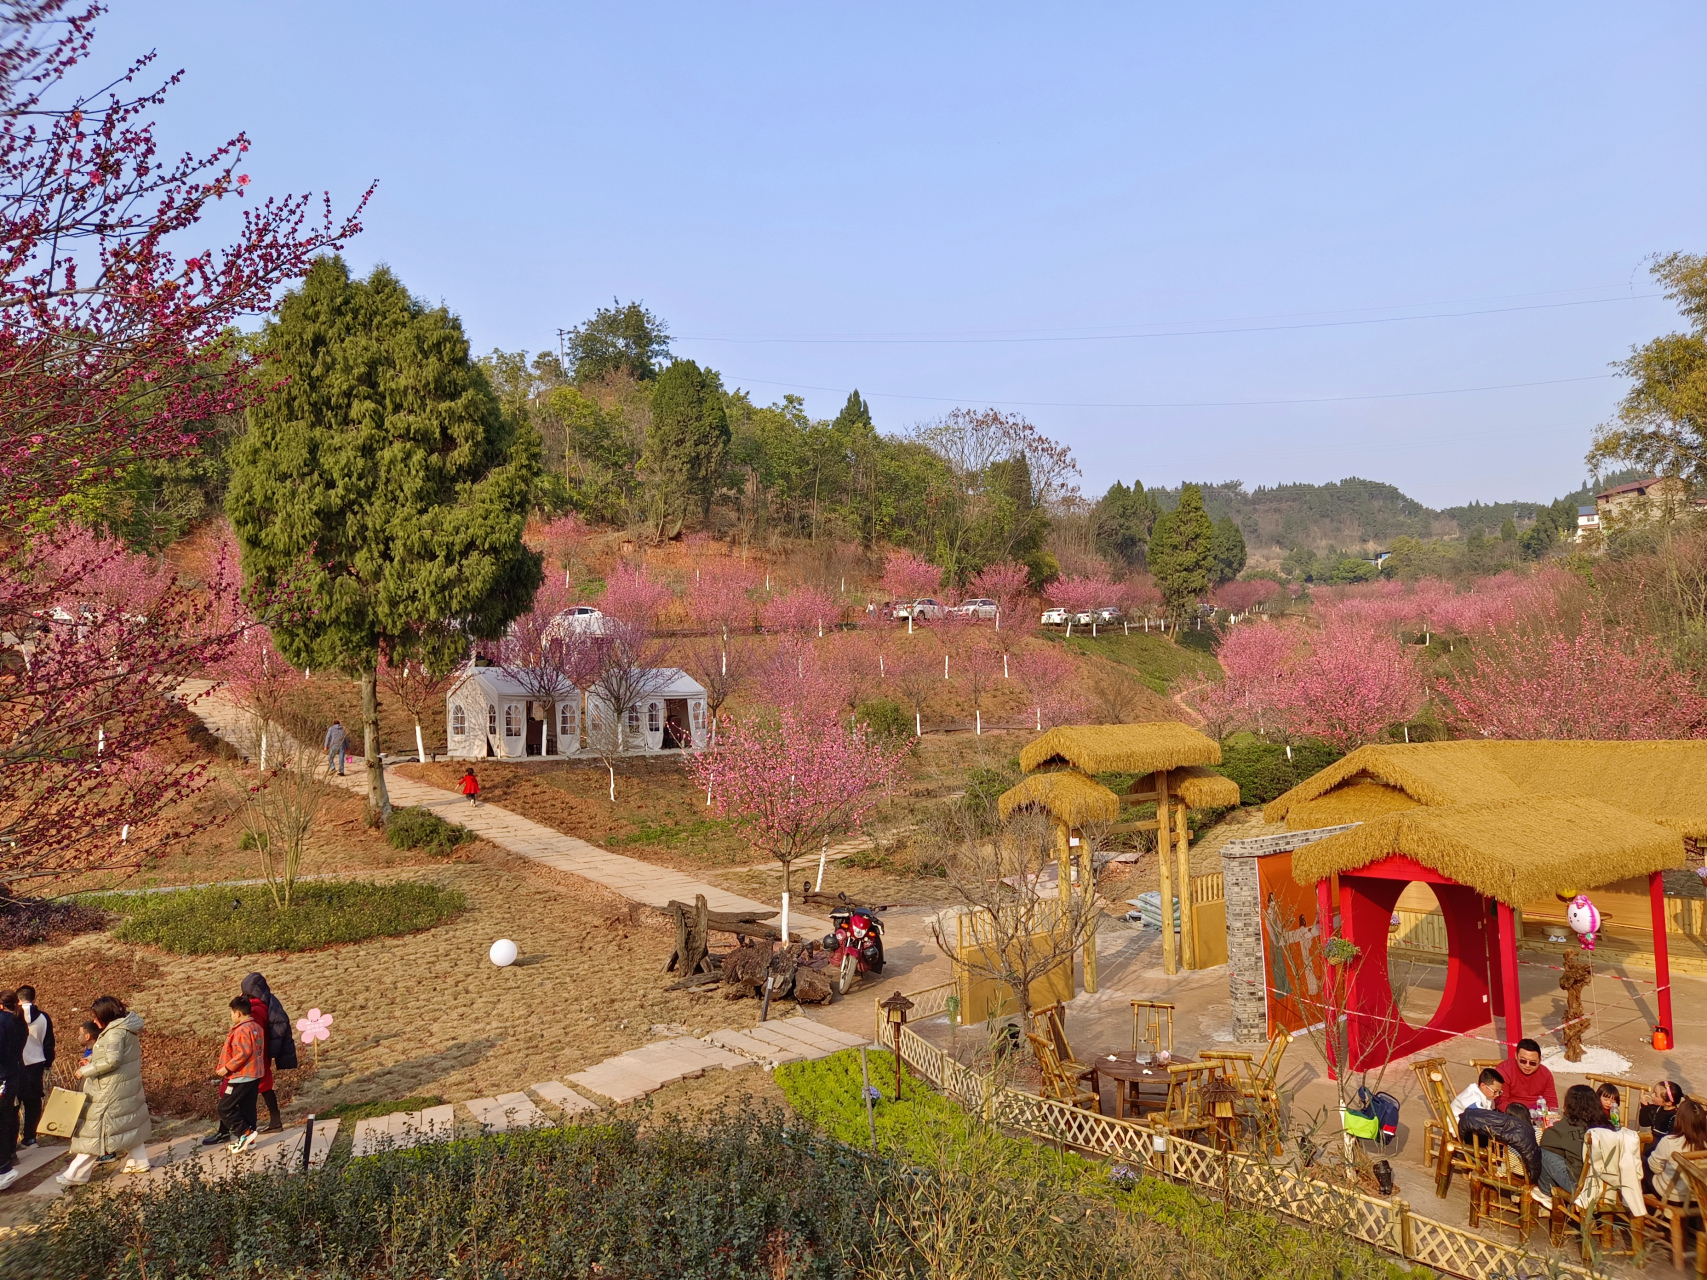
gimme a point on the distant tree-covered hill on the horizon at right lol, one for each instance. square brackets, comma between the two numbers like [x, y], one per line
[1356, 515]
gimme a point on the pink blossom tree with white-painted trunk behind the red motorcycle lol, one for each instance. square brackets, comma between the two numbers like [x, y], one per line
[791, 783]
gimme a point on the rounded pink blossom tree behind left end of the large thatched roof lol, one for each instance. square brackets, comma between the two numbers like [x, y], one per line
[1351, 685]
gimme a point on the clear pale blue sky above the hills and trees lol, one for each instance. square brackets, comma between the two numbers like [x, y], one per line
[1192, 241]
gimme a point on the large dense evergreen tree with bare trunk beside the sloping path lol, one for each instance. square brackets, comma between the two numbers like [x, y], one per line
[382, 486]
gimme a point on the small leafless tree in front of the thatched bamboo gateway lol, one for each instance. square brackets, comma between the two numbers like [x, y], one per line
[1023, 924]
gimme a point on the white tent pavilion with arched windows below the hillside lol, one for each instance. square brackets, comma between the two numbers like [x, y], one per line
[489, 716]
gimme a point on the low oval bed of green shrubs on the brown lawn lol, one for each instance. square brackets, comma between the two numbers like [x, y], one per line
[240, 921]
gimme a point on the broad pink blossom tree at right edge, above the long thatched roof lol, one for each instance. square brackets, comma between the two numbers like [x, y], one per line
[1546, 684]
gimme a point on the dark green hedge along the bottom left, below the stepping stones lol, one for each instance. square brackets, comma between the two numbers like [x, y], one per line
[731, 1199]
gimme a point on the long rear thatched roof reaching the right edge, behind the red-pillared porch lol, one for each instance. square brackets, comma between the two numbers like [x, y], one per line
[1660, 783]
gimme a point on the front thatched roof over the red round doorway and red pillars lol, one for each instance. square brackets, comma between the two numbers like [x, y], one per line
[1515, 851]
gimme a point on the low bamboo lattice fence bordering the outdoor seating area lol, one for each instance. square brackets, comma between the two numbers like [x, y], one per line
[1244, 1180]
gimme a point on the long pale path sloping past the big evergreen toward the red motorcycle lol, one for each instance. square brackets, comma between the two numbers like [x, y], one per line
[634, 880]
